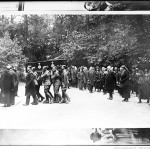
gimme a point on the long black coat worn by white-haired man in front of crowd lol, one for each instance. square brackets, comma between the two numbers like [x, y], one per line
[110, 81]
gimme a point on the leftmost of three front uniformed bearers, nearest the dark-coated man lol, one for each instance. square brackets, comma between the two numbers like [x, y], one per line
[47, 84]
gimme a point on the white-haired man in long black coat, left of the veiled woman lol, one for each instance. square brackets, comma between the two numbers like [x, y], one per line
[110, 82]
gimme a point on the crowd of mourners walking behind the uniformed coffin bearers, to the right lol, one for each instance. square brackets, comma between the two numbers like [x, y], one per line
[107, 79]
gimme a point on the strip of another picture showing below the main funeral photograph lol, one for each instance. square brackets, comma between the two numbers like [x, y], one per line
[74, 137]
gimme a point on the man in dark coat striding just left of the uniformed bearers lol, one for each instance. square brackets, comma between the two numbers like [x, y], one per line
[30, 87]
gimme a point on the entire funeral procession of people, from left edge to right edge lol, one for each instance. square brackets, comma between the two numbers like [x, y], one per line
[100, 79]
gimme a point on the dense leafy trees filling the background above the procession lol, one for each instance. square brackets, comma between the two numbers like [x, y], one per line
[81, 39]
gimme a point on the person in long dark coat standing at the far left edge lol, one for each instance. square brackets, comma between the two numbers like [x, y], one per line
[7, 87]
